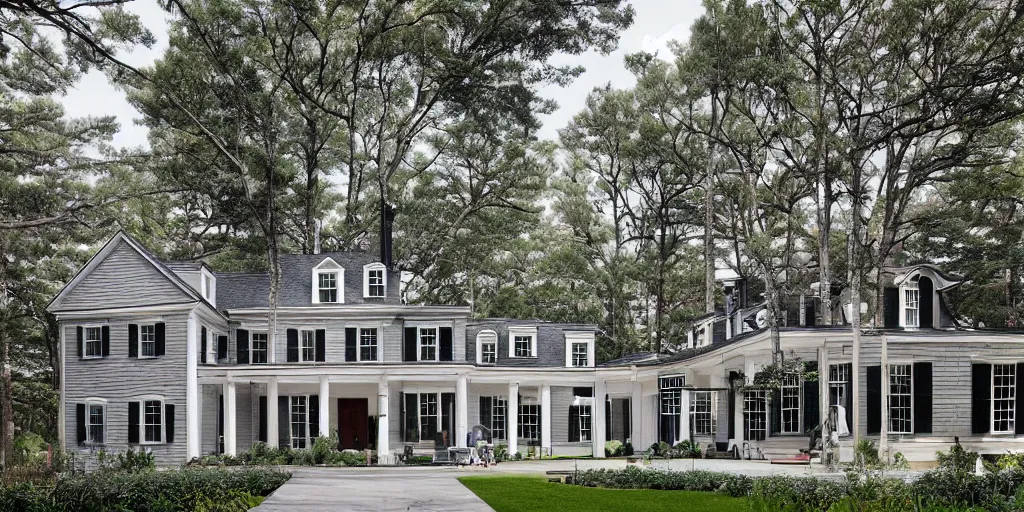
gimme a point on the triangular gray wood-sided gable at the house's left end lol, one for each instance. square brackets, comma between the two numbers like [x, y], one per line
[125, 279]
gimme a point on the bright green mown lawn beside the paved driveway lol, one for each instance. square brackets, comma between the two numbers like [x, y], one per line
[523, 494]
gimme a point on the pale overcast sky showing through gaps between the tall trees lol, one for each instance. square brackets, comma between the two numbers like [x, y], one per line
[658, 22]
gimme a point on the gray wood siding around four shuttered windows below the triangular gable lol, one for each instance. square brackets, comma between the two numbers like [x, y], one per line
[120, 380]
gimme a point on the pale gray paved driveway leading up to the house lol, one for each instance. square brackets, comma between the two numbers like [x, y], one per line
[437, 488]
